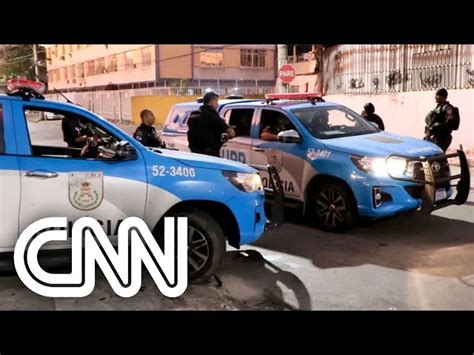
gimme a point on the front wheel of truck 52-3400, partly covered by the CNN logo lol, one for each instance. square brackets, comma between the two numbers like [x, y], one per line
[206, 244]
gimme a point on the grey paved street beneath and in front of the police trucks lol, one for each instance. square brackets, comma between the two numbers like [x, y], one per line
[405, 262]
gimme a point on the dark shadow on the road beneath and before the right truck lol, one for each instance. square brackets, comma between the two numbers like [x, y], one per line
[429, 244]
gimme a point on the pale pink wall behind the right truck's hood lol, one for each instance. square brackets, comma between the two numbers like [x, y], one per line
[404, 113]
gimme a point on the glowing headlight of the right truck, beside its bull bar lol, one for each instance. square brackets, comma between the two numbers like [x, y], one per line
[395, 166]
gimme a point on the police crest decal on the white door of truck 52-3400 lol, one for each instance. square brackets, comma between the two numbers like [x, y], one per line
[86, 190]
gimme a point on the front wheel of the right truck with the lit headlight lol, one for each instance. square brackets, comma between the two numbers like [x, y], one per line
[333, 209]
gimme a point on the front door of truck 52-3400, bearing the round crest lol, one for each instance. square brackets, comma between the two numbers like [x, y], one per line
[56, 181]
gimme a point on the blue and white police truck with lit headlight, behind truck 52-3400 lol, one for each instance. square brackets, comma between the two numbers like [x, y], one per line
[333, 162]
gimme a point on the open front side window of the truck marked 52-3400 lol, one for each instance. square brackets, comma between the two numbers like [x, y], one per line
[65, 134]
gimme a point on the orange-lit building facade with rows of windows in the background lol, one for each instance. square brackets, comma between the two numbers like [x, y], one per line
[96, 67]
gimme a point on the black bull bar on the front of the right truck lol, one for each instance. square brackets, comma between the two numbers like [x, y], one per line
[429, 181]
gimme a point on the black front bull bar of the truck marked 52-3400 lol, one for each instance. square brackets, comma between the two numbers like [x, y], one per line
[277, 195]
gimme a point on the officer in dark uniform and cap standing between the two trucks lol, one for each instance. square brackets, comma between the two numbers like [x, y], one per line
[207, 130]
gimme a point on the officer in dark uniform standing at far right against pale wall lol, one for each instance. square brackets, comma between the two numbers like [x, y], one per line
[439, 121]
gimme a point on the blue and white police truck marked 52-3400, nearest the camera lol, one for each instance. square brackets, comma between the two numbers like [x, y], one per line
[40, 176]
